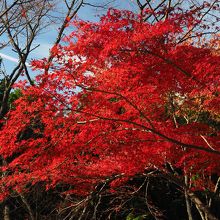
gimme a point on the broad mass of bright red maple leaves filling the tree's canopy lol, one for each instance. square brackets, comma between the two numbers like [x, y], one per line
[104, 107]
